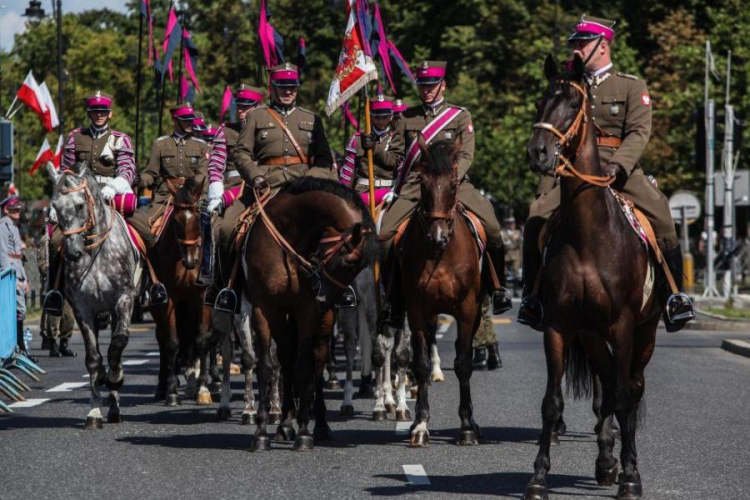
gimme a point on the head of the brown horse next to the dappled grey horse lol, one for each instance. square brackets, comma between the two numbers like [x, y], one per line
[186, 221]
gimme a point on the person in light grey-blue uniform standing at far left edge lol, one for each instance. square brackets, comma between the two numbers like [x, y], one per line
[11, 256]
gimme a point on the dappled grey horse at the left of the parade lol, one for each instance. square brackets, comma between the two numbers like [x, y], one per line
[102, 275]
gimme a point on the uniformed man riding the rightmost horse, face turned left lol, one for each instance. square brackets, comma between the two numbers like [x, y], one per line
[621, 113]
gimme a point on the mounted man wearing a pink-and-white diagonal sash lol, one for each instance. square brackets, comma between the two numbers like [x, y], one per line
[446, 123]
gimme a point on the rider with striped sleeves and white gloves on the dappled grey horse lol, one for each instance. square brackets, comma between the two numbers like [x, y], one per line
[109, 156]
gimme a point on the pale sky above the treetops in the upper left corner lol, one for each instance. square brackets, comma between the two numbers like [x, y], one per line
[12, 22]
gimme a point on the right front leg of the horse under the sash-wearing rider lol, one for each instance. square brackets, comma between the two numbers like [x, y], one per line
[466, 325]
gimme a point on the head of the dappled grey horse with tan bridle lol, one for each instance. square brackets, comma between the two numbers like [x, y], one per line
[74, 198]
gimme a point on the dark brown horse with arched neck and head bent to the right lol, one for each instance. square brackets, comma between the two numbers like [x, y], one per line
[311, 241]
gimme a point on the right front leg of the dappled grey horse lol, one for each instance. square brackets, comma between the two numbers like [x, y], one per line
[120, 335]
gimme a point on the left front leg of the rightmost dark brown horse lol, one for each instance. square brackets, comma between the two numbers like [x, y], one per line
[552, 408]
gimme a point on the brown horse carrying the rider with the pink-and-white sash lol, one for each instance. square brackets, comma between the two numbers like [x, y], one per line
[440, 274]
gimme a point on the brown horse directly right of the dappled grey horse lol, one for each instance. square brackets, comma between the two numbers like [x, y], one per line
[183, 319]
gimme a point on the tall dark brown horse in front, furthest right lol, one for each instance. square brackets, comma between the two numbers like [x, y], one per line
[592, 286]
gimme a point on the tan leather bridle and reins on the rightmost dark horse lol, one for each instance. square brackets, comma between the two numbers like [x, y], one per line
[565, 167]
